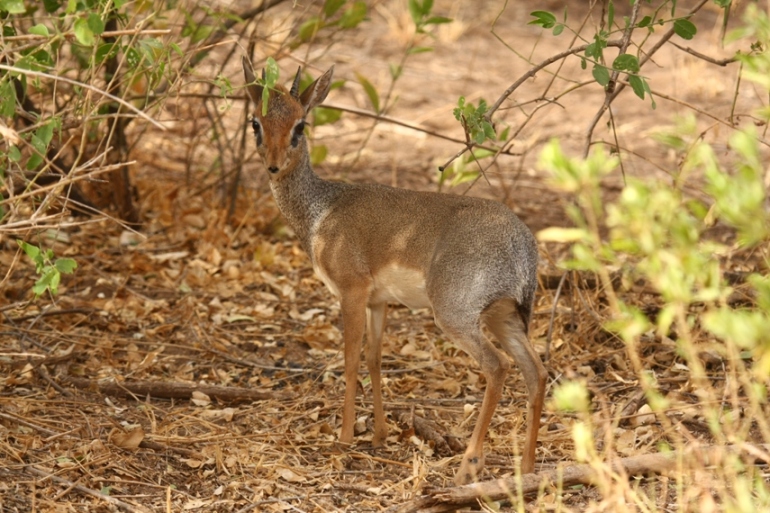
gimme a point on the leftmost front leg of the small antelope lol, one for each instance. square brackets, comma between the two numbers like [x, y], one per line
[353, 323]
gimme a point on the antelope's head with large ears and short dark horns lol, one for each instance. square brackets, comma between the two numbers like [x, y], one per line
[280, 131]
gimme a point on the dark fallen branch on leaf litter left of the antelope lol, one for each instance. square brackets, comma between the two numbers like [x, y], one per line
[172, 390]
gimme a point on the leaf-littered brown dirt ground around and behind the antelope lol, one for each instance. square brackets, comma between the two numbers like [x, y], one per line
[203, 301]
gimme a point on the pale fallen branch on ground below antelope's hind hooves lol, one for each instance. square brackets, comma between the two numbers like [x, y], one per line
[450, 499]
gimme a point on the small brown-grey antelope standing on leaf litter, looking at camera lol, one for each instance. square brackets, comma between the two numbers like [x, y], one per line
[471, 260]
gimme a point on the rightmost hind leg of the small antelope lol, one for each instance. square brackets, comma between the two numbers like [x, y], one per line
[507, 326]
